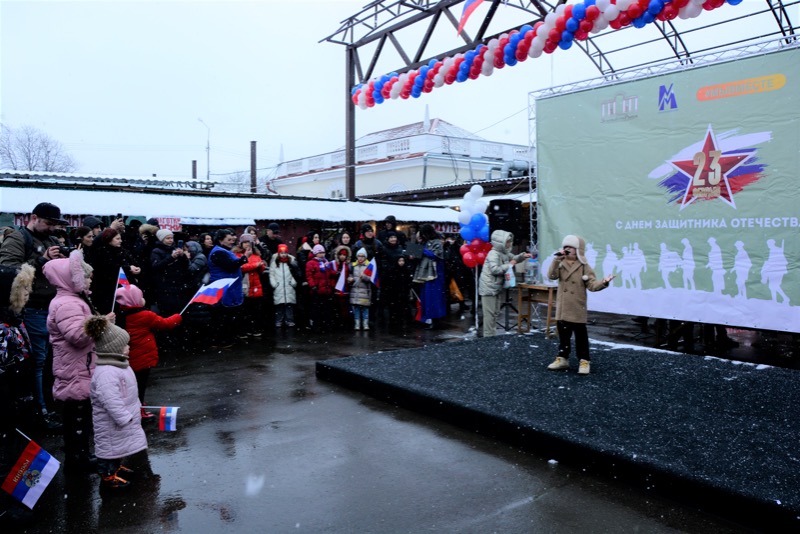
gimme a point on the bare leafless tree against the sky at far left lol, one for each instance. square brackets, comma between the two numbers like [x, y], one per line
[29, 149]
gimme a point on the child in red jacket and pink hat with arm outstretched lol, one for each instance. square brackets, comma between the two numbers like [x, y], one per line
[141, 325]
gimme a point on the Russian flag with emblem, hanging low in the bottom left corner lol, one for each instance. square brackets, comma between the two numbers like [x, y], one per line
[30, 476]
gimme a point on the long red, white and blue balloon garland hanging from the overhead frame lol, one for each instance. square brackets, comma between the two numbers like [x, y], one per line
[559, 29]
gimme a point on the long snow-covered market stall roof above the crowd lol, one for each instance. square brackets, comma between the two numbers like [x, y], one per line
[207, 208]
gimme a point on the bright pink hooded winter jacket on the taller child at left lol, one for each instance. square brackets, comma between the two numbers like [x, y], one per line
[73, 350]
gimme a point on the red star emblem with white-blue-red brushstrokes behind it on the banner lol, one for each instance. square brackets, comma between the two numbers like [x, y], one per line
[714, 168]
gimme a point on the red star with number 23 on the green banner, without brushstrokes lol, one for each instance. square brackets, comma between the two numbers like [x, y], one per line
[708, 172]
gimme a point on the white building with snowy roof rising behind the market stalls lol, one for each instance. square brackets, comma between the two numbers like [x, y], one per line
[426, 160]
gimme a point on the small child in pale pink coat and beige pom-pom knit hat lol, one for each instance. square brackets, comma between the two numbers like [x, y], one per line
[116, 410]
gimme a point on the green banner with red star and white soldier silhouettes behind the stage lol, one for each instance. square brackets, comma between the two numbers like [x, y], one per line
[685, 186]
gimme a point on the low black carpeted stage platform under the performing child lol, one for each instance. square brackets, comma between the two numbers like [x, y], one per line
[718, 434]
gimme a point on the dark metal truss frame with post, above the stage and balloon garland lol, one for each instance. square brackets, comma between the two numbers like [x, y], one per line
[379, 23]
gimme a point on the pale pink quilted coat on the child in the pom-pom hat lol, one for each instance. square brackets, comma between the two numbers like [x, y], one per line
[116, 413]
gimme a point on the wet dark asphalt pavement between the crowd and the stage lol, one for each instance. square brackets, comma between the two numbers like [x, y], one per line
[262, 446]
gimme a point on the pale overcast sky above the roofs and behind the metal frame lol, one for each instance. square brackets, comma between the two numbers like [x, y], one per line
[122, 84]
